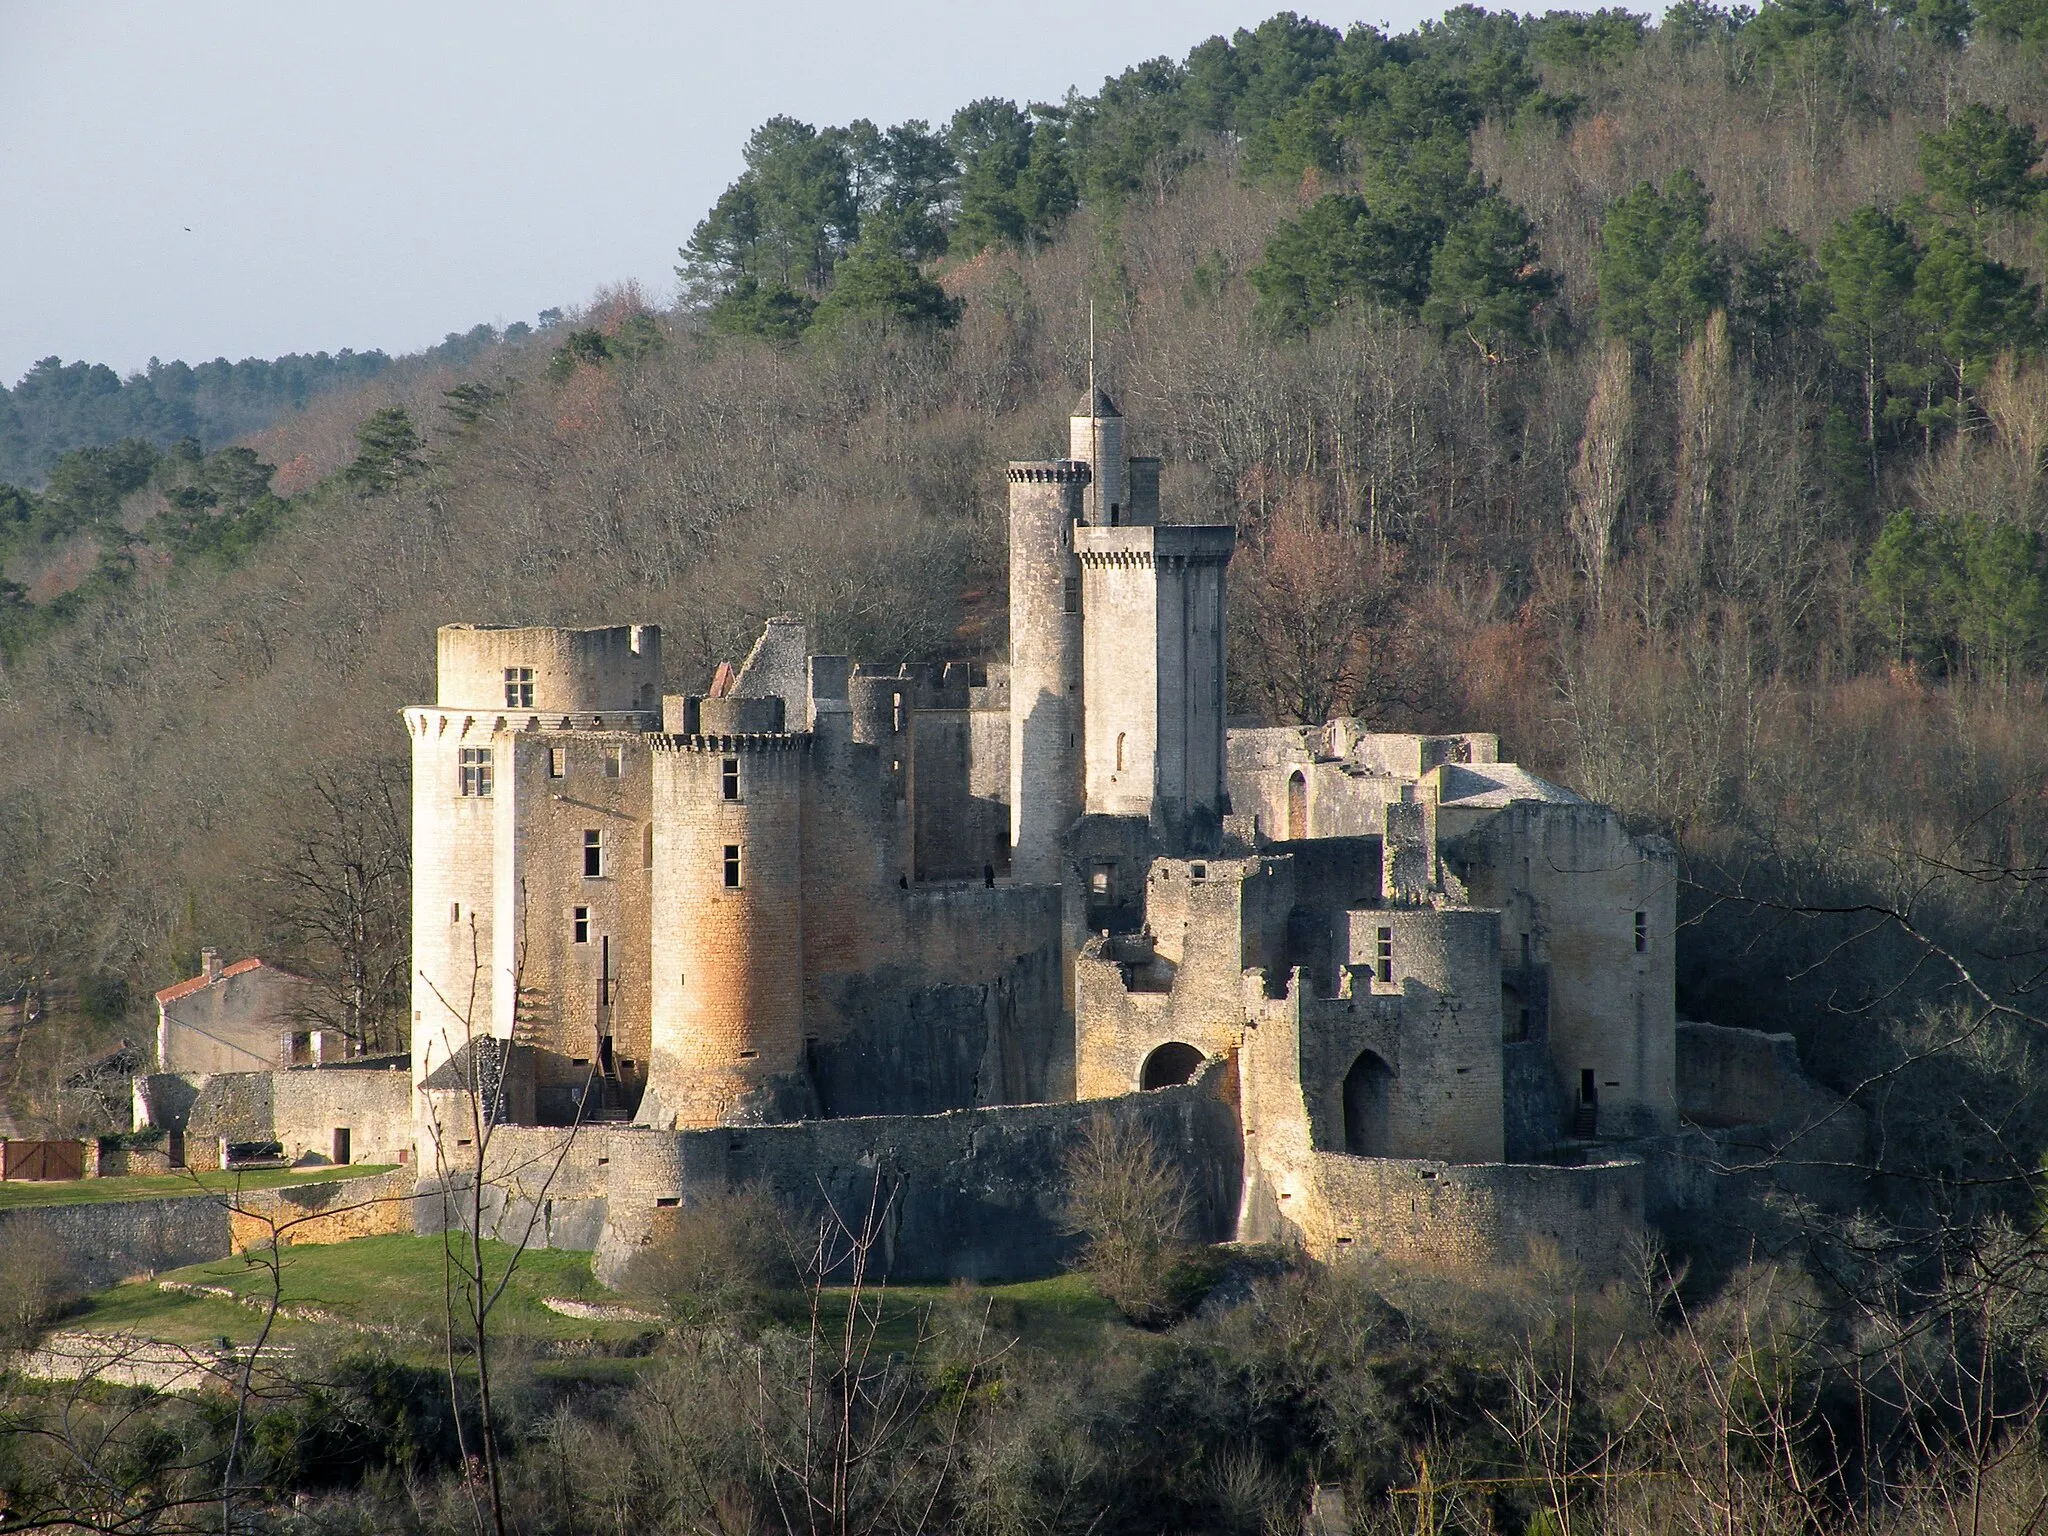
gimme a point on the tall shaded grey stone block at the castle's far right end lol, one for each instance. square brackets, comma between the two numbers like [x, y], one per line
[1574, 880]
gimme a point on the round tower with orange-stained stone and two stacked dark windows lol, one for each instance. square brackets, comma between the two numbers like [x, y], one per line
[728, 929]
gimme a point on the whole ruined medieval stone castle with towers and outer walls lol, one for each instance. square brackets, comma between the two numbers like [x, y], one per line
[900, 933]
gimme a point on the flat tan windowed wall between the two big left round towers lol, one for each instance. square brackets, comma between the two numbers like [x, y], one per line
[579, 978]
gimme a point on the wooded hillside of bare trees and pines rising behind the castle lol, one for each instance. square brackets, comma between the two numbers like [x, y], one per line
[1666, 398]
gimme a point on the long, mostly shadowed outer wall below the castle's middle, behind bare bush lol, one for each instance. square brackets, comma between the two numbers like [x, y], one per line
[968, 1195]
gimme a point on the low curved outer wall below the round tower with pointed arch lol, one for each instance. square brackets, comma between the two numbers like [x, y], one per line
[1474, 1215]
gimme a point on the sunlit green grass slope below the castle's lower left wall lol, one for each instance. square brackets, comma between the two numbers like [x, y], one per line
[390, 1283]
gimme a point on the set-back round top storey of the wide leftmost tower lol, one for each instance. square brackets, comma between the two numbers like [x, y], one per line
[572, 669]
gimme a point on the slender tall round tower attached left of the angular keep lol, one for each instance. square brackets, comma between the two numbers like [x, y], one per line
[1046, 665]
